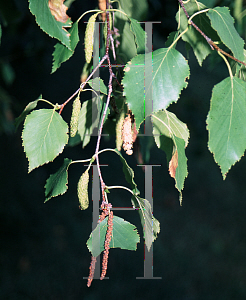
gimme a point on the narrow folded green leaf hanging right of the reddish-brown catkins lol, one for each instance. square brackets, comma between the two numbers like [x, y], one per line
[151, 226]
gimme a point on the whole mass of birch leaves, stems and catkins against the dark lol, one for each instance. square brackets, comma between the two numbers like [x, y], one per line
[45, 132]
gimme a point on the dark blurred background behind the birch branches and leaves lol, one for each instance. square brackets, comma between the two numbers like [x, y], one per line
[200, 251]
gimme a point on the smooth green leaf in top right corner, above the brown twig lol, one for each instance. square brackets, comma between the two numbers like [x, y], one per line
[223, 23]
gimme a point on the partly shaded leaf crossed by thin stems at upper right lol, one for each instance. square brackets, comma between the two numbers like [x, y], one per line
[199, 45]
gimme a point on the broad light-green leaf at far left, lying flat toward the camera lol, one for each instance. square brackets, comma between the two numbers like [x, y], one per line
[44, 136]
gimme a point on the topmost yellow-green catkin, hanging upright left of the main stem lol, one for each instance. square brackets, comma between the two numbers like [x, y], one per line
[89, 37]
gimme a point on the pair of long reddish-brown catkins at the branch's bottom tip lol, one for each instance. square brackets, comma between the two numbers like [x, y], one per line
[106, 212]
